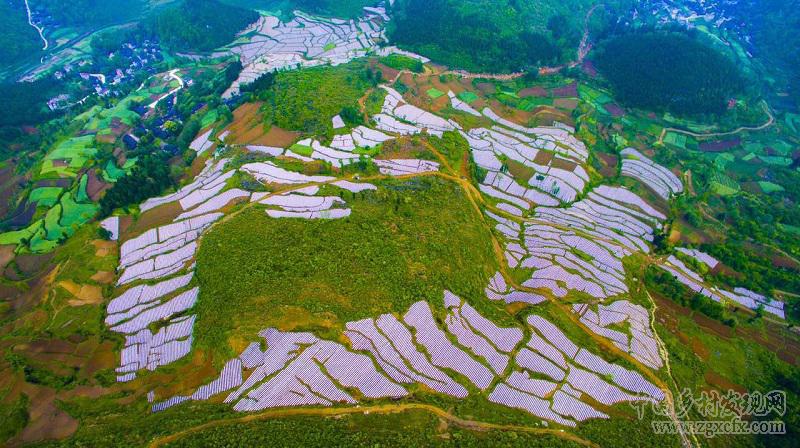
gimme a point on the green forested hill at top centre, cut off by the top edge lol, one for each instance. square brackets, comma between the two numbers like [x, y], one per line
[493, 36]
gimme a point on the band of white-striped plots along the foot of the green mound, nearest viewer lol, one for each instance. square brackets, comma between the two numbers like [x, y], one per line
[386, 358]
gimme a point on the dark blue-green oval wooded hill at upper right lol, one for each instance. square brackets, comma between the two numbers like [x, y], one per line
[668, 72]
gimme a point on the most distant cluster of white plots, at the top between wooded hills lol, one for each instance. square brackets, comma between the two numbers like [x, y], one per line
[304, 41]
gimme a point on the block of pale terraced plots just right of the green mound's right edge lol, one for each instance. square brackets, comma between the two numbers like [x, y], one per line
[580, 248]
